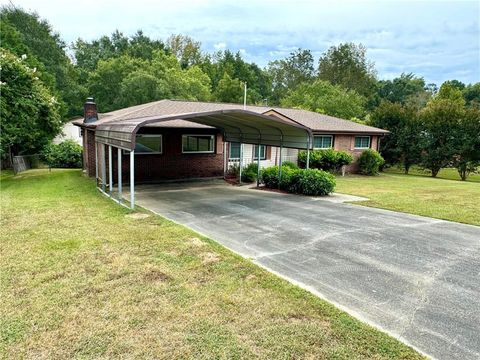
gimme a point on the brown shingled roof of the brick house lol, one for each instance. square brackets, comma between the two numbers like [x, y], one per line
[315, 121]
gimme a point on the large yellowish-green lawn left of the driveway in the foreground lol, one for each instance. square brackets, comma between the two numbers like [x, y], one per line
[81, 278]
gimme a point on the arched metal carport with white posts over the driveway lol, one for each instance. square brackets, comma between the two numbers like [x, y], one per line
[242, 126]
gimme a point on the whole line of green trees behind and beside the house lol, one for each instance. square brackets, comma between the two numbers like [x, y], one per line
[45, 82]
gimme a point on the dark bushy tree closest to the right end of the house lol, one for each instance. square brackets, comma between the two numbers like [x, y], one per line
[402, 145]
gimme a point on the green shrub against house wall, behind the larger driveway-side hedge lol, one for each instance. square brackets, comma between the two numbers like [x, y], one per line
[327, 160]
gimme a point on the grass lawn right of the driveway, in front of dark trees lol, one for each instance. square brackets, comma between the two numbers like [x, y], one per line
[418, 193]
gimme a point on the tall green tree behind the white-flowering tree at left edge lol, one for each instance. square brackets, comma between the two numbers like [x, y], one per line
[48, 48]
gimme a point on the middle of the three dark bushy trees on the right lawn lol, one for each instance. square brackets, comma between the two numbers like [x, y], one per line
[441, 118]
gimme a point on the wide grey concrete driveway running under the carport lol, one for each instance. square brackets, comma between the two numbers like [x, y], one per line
[416, 278]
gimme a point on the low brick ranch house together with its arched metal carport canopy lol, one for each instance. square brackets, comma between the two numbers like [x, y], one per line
[173, 139]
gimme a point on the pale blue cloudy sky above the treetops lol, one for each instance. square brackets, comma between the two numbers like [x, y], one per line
[438, 40]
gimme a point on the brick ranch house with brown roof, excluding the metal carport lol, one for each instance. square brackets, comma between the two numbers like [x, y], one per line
[179, 148]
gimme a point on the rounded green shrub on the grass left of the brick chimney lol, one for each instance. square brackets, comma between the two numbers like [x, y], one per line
[67, 154]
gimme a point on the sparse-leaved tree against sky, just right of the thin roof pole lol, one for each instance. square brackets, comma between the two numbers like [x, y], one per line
[287, 74]
